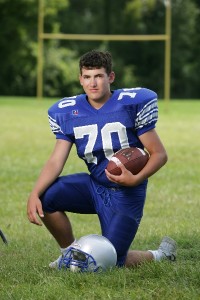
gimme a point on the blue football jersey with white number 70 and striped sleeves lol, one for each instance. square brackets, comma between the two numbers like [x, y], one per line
[99, 133]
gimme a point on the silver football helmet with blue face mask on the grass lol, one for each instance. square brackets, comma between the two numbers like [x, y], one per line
[91, 253]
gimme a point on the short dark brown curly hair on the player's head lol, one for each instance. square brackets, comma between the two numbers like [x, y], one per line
[95, 60]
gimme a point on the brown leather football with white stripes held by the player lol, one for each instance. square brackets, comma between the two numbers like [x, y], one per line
[133, 158]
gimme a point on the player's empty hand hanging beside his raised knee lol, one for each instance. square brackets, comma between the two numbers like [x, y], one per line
[34, 209]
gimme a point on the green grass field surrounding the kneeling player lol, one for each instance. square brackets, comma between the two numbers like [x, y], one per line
[172, 208]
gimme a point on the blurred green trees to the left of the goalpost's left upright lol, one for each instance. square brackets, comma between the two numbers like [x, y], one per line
[18, 32]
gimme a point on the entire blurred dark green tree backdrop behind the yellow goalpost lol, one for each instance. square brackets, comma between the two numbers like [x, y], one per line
[135, 63]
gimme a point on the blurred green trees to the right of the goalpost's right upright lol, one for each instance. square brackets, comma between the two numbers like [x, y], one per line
[185, 49]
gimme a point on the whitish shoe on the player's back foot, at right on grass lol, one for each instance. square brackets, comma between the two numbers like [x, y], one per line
[168, 247]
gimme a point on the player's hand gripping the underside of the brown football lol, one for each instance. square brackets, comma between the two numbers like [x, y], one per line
[126, 178]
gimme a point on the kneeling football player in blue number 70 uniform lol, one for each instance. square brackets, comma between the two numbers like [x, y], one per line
[99, 122]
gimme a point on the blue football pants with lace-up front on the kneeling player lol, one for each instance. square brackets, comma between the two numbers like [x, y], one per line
[119, 209]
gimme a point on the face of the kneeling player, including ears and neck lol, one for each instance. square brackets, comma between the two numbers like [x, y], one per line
[96, 84]
